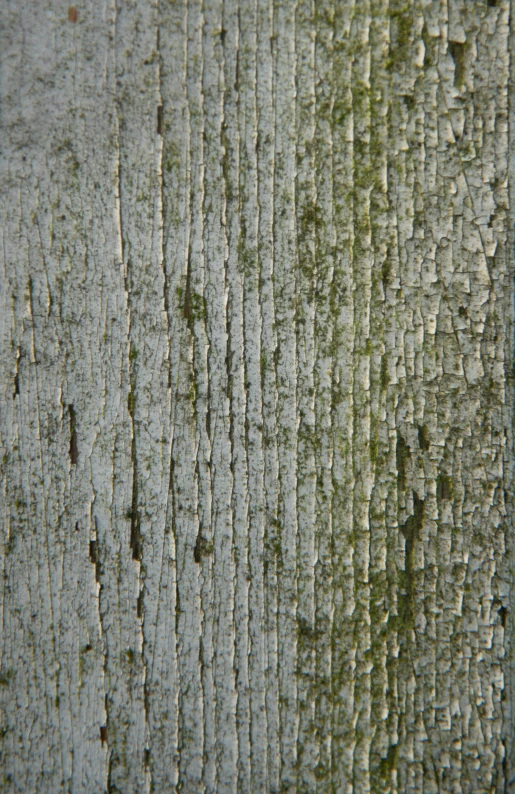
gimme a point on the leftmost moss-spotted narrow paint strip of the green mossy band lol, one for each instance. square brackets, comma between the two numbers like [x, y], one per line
[306, 249]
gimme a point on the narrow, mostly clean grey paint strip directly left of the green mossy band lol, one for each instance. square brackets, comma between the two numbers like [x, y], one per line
[285, 364]
